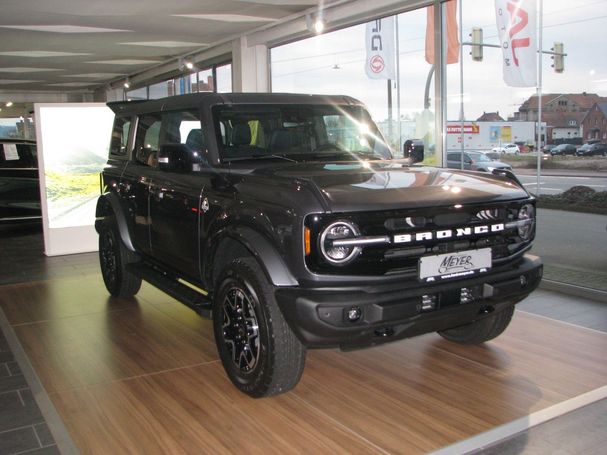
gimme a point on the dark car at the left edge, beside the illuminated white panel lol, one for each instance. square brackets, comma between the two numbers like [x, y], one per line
[19, 185]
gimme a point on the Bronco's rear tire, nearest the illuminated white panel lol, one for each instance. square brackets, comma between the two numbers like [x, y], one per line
[113, 259]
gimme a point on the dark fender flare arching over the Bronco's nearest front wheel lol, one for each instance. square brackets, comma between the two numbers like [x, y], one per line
[261, 248]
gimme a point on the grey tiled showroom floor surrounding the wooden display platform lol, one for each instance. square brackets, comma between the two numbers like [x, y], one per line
[22, 427]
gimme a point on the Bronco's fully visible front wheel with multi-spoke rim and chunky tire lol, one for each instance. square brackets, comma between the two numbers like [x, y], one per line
[258, 350]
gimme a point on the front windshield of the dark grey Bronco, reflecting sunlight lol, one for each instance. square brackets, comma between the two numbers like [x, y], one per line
[298, 133]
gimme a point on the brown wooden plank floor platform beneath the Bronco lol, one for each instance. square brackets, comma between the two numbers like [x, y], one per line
[142, 376]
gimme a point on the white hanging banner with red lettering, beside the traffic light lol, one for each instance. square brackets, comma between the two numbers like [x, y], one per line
[516, 25]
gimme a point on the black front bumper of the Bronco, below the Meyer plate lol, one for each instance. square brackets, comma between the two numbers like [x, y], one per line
[320, 316]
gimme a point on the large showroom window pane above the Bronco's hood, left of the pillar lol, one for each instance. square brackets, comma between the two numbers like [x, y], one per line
[400, 102]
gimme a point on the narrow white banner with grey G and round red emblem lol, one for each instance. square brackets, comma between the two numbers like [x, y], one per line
[379, 39]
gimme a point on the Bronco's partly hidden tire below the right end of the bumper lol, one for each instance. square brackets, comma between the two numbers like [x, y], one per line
[482, 330]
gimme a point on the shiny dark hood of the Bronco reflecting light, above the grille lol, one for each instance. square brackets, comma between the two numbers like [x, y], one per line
[355, 186]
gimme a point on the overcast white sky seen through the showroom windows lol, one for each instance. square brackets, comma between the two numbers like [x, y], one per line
[333, 62]
